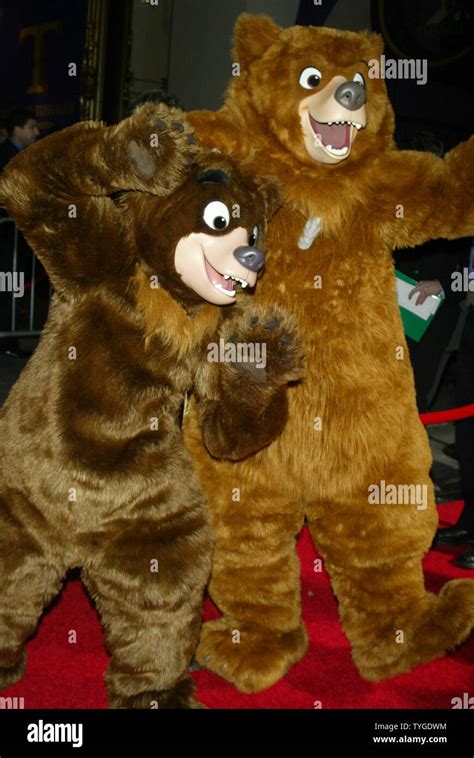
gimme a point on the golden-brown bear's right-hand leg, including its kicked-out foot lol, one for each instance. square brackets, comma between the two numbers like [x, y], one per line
[374, 554]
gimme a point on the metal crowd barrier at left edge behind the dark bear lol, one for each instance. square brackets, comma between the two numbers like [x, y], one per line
[31, 286]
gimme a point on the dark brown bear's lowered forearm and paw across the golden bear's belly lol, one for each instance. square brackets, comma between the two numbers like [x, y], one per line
[242, 391]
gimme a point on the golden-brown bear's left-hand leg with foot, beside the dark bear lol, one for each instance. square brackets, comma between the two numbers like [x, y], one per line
[256, 585]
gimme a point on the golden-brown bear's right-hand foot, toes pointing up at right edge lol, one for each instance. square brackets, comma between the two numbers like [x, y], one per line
[445, 623]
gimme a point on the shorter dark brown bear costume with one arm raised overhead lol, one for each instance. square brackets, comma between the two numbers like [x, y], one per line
[134, 226]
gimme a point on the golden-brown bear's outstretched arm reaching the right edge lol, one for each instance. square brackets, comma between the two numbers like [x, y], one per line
[420, 197]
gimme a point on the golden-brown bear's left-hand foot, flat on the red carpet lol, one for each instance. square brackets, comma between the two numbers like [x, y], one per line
[255, 663]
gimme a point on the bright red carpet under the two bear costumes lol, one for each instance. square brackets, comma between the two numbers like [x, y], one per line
[64, 675]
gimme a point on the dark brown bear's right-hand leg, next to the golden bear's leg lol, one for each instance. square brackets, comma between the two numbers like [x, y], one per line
[148, 581]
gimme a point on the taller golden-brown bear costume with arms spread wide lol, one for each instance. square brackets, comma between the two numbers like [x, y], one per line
[305, 110]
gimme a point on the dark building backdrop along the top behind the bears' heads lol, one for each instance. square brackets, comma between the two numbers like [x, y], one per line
[131, 47]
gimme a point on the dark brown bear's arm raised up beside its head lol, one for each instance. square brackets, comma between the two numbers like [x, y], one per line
[58, 190]
